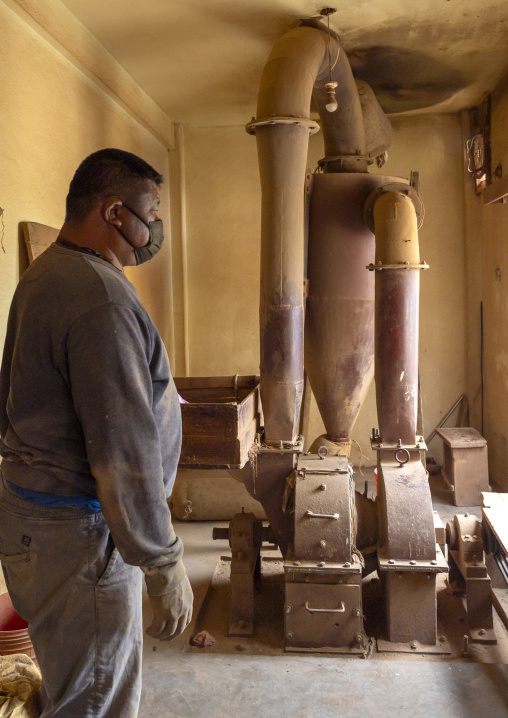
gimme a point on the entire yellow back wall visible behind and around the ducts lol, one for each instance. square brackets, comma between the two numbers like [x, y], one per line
[223, 245]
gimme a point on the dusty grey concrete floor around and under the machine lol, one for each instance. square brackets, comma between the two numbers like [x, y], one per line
[254, 677]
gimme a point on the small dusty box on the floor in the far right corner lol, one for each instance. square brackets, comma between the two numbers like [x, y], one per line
[465, 467]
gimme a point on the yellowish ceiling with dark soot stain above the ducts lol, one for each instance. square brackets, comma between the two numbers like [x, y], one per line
[415, 55]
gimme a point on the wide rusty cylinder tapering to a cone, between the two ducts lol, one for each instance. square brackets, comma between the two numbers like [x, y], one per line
[339, 322]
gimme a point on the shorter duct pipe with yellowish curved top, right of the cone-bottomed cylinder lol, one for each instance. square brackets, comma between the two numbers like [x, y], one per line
[396, 335]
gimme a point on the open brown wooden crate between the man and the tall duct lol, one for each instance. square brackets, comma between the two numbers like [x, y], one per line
[220, 421]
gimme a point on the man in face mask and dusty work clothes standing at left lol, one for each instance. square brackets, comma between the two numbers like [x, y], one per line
[90, 429]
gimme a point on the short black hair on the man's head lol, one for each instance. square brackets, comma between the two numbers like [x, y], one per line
[103, 174]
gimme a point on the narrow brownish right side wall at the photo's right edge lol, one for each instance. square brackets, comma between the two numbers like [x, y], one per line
[494, 254]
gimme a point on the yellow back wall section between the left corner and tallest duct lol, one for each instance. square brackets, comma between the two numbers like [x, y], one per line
[223, 210]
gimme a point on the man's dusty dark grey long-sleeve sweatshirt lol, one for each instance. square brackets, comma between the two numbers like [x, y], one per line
[87, 402]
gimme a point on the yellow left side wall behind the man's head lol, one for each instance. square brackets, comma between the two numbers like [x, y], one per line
[53, 114]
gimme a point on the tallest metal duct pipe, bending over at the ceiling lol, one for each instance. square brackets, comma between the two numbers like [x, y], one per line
[282, 127]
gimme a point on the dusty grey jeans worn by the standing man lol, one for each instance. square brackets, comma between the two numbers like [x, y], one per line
[82, 603]
